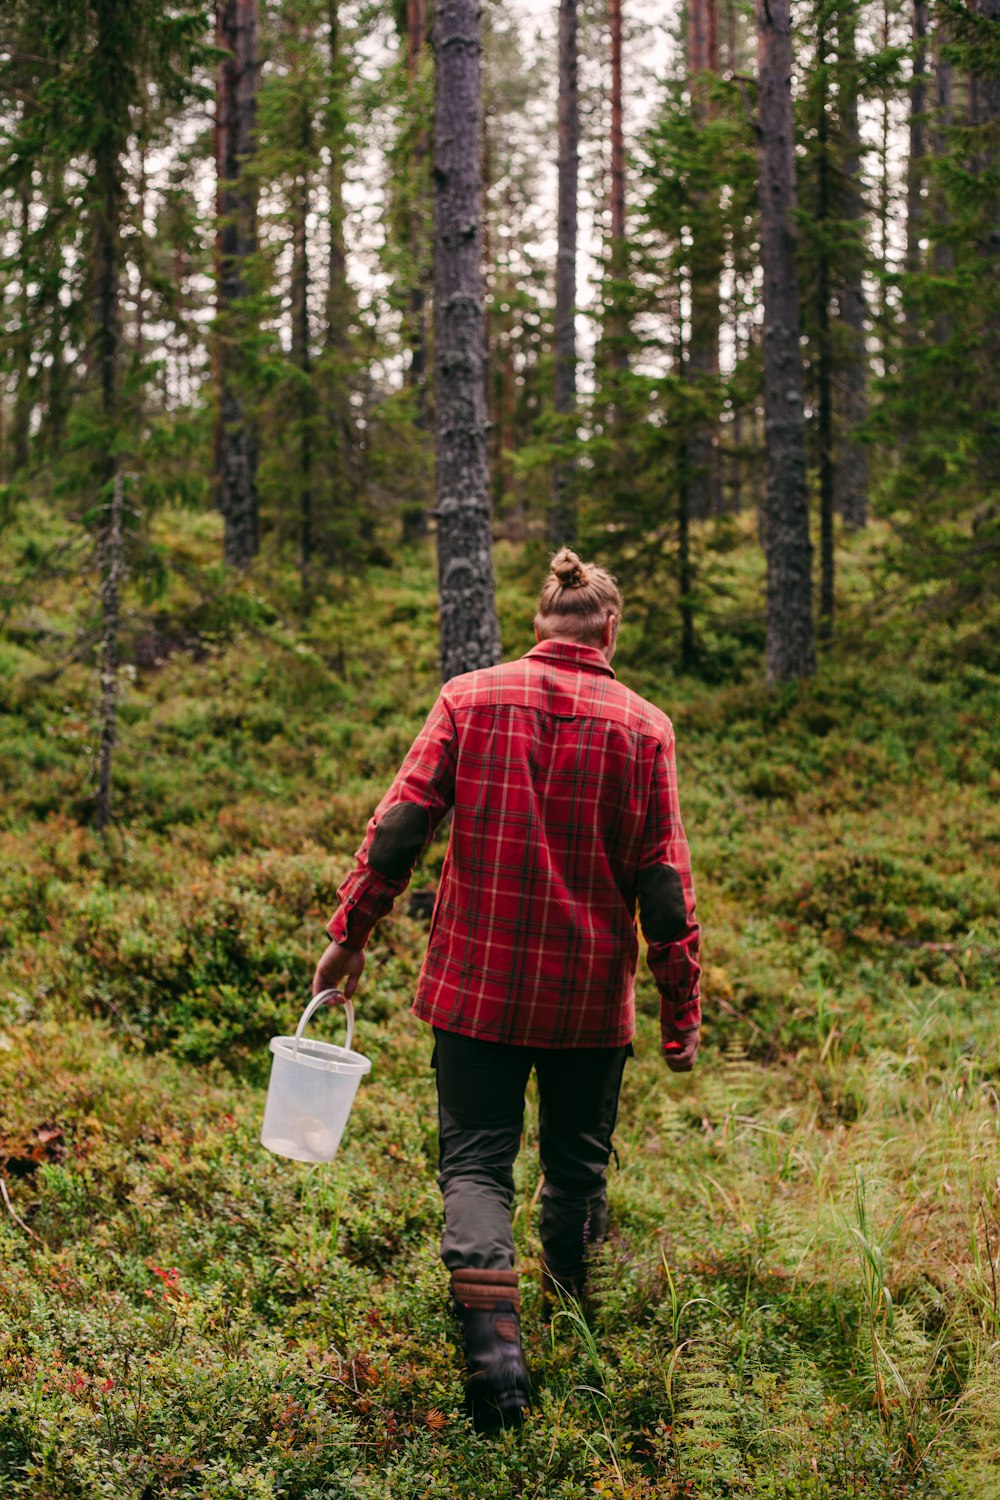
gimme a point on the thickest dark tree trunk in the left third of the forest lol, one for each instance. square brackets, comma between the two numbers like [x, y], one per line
[236, 241]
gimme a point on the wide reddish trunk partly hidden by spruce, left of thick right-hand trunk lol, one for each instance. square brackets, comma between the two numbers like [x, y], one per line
[707, 256]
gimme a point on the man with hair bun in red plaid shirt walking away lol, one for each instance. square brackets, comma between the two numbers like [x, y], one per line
[566, 818]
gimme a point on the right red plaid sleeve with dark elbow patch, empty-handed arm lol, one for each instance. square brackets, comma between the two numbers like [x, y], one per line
[666, 901]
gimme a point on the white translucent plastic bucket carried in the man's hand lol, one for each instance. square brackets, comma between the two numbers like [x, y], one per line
[311, 1090]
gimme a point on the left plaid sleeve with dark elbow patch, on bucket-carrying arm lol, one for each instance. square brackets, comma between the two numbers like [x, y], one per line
[400, 830]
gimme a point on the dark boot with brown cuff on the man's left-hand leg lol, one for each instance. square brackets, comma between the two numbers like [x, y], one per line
[497, 1387]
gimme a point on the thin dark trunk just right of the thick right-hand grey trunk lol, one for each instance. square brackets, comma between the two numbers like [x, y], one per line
[825, 373]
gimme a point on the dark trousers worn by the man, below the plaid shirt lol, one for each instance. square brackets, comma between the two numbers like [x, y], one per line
[481, 1115]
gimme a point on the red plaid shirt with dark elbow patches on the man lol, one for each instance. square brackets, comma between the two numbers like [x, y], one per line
[566, 817]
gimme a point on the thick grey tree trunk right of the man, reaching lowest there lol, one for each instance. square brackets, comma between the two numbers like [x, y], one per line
[791, 652]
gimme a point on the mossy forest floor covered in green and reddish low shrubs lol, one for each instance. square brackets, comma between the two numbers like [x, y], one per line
[800, 1291]
